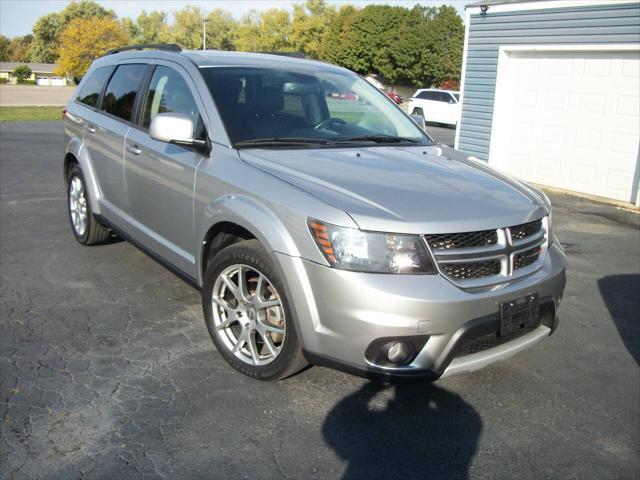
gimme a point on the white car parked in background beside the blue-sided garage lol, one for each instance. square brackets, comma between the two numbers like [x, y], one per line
[437, 106]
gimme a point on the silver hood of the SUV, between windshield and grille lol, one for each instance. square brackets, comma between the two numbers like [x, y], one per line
[413, 189]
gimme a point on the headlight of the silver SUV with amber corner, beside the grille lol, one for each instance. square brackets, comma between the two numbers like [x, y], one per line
[355, 250]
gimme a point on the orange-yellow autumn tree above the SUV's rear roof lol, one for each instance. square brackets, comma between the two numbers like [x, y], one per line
[85, 40]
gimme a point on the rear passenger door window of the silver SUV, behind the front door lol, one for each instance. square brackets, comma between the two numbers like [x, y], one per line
[120, 95]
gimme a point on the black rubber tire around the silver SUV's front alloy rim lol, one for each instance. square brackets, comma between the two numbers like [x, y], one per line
[290, 359]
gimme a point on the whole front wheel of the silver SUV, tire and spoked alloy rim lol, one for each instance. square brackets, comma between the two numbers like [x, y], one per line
[247, 313]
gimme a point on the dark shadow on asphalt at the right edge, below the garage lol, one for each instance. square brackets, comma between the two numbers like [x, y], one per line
[621, 294]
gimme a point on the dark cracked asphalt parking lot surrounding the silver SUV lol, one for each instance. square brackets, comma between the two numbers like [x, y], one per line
[107, 370]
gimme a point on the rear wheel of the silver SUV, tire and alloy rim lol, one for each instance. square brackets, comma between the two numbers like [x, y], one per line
[85, 227]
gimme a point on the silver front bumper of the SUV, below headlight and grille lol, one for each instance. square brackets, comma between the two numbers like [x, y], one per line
[339, 314]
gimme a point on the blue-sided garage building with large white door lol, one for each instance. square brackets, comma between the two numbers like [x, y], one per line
[551, 93]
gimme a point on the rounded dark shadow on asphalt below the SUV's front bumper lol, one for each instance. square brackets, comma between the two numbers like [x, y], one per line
[423, 432]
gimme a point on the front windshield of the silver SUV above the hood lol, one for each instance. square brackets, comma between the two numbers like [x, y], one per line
[264, 106]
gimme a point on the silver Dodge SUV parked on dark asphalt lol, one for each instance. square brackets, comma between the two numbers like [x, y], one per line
[320, 228]
